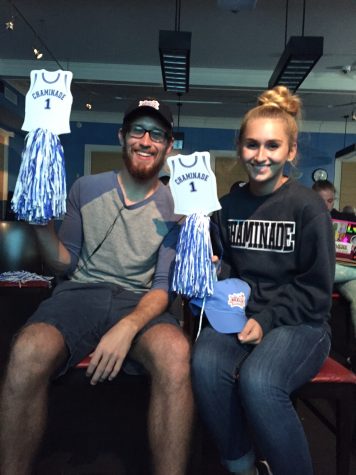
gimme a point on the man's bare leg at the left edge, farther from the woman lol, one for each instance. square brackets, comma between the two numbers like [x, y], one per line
[36, 354]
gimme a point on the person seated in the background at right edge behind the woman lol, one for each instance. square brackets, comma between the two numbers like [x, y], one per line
[345, 276]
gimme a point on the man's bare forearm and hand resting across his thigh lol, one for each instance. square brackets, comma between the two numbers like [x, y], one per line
[107, 359]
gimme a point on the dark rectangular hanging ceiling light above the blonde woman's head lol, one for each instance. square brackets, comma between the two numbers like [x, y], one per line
[300, 55]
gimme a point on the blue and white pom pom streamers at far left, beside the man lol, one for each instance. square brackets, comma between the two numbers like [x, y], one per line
[40, 192]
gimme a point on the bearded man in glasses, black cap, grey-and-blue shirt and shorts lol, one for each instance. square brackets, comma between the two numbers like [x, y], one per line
[115, 249]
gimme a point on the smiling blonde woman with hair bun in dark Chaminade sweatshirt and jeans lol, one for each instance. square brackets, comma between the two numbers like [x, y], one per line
[276, 236]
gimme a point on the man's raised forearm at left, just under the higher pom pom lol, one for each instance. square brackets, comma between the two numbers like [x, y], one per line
[54, 252]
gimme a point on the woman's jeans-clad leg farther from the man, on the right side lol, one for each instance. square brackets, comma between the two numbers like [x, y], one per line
[286, 358]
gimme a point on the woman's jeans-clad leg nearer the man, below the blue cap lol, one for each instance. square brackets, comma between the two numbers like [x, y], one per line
[216, 359]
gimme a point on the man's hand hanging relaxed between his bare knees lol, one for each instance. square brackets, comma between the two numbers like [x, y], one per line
[107, 359]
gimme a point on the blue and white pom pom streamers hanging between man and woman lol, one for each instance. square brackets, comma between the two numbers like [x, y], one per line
[194, 270]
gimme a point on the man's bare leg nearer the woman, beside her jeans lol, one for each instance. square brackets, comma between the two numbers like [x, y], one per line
[165, 352]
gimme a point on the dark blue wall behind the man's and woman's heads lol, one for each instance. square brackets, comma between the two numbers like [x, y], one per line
[315, 149]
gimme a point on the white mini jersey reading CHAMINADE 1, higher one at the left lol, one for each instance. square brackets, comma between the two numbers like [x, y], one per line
[49, 101]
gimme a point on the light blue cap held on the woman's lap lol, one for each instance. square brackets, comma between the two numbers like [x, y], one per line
[225, 309]
